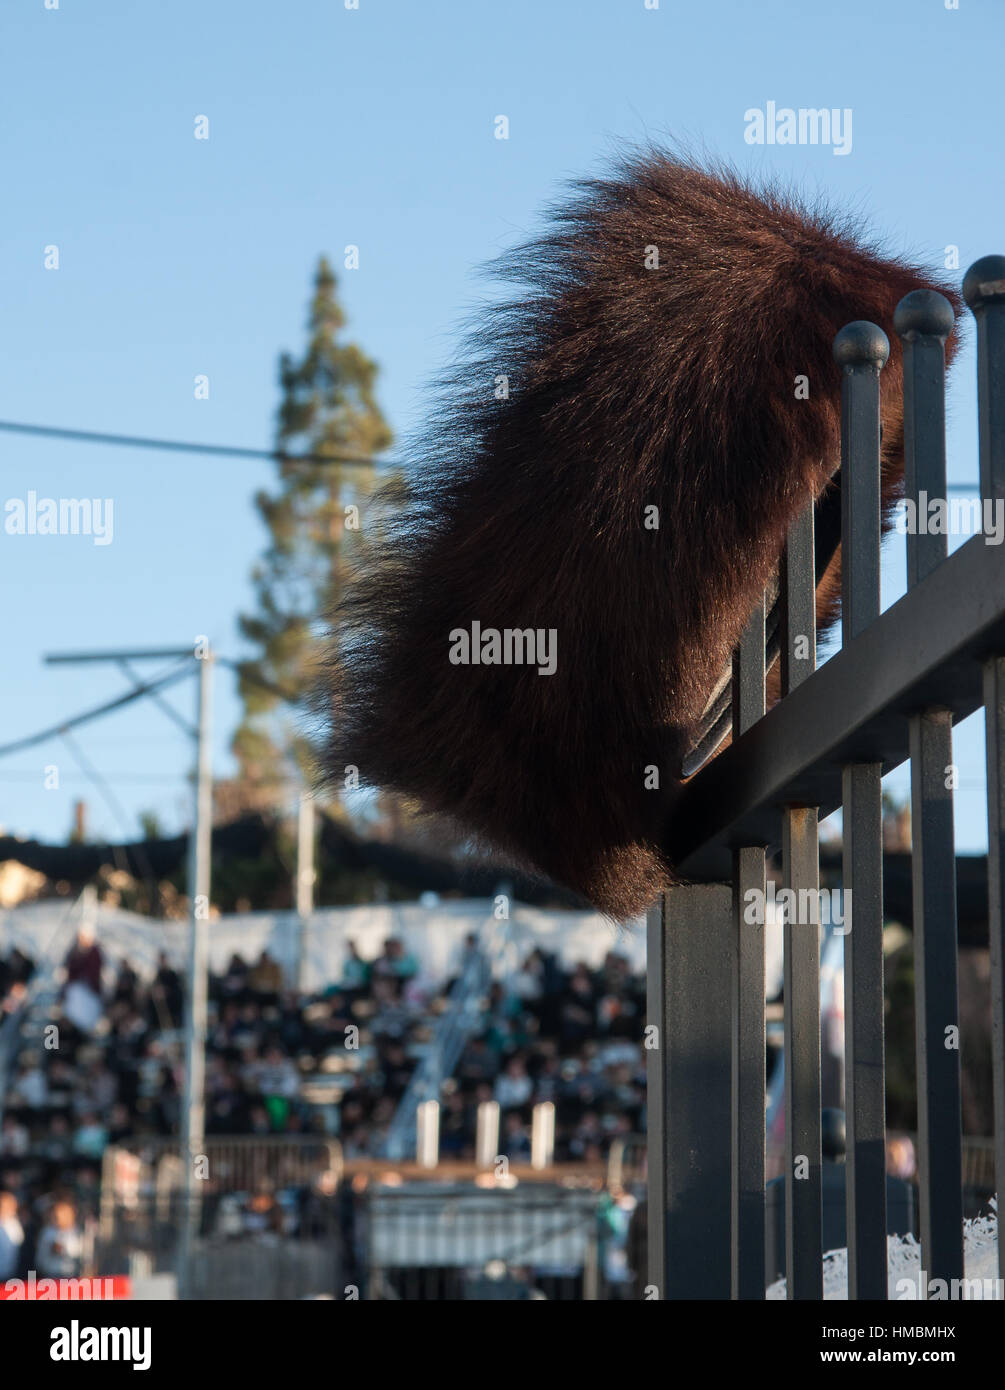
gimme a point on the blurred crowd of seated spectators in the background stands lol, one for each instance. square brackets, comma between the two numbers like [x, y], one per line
[105, 1068]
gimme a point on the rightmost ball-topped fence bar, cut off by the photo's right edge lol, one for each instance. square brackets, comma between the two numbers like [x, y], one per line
[985, 293]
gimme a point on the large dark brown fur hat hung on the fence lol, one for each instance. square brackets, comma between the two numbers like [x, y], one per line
[630, 389]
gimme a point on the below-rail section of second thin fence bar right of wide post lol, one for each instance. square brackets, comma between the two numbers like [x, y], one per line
[804, 1191]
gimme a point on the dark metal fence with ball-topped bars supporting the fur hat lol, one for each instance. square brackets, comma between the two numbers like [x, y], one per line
[894, 692]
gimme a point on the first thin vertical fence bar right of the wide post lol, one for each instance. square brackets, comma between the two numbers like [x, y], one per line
[749, 1001]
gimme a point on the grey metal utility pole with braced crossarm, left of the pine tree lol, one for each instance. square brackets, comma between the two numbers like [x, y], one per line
[201, 840]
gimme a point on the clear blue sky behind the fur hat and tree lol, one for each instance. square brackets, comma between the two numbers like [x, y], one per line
[370, 127]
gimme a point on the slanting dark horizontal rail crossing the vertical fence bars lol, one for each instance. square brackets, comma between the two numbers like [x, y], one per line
[924, 653]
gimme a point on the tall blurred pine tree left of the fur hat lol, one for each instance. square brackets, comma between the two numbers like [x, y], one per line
[329, 411]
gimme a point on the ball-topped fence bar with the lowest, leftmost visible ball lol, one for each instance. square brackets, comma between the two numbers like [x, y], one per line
[863, 351]
